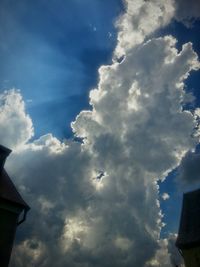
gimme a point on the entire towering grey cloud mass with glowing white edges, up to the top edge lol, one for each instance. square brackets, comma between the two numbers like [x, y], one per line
[95, 203]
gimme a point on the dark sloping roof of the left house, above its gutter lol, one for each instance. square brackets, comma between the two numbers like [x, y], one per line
[9, 192]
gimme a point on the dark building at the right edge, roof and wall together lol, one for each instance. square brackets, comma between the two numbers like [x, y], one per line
[188, 240]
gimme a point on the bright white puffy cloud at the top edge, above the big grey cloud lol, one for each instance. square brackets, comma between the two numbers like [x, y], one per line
[140, 20]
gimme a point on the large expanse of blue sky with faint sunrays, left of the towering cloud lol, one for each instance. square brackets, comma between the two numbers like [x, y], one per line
[54, 59]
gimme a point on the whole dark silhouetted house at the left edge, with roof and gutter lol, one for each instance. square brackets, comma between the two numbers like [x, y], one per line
[13, 210]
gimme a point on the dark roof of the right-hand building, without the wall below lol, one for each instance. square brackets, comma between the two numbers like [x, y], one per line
[189, 229]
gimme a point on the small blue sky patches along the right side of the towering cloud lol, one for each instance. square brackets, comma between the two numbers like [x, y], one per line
[172, 207]
